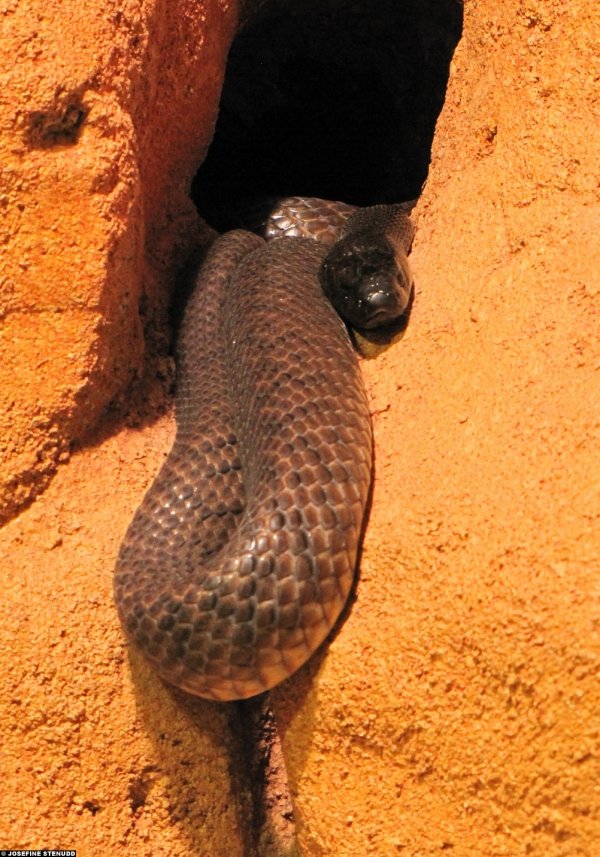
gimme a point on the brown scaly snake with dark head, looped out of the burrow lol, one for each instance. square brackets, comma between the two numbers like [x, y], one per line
[241, 555]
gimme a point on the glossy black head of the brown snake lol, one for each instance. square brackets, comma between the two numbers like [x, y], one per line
[367, 280]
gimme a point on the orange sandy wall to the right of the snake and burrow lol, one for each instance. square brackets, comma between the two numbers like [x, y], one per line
[458, 709]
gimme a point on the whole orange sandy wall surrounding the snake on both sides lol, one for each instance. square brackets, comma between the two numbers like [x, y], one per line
[457, 709]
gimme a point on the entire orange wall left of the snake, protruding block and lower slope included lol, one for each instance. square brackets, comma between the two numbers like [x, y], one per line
[107, 111]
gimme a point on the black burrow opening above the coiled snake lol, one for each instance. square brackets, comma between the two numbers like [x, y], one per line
[330, 98]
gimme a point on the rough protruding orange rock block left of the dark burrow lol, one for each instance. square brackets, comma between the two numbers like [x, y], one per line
[100, 137]
